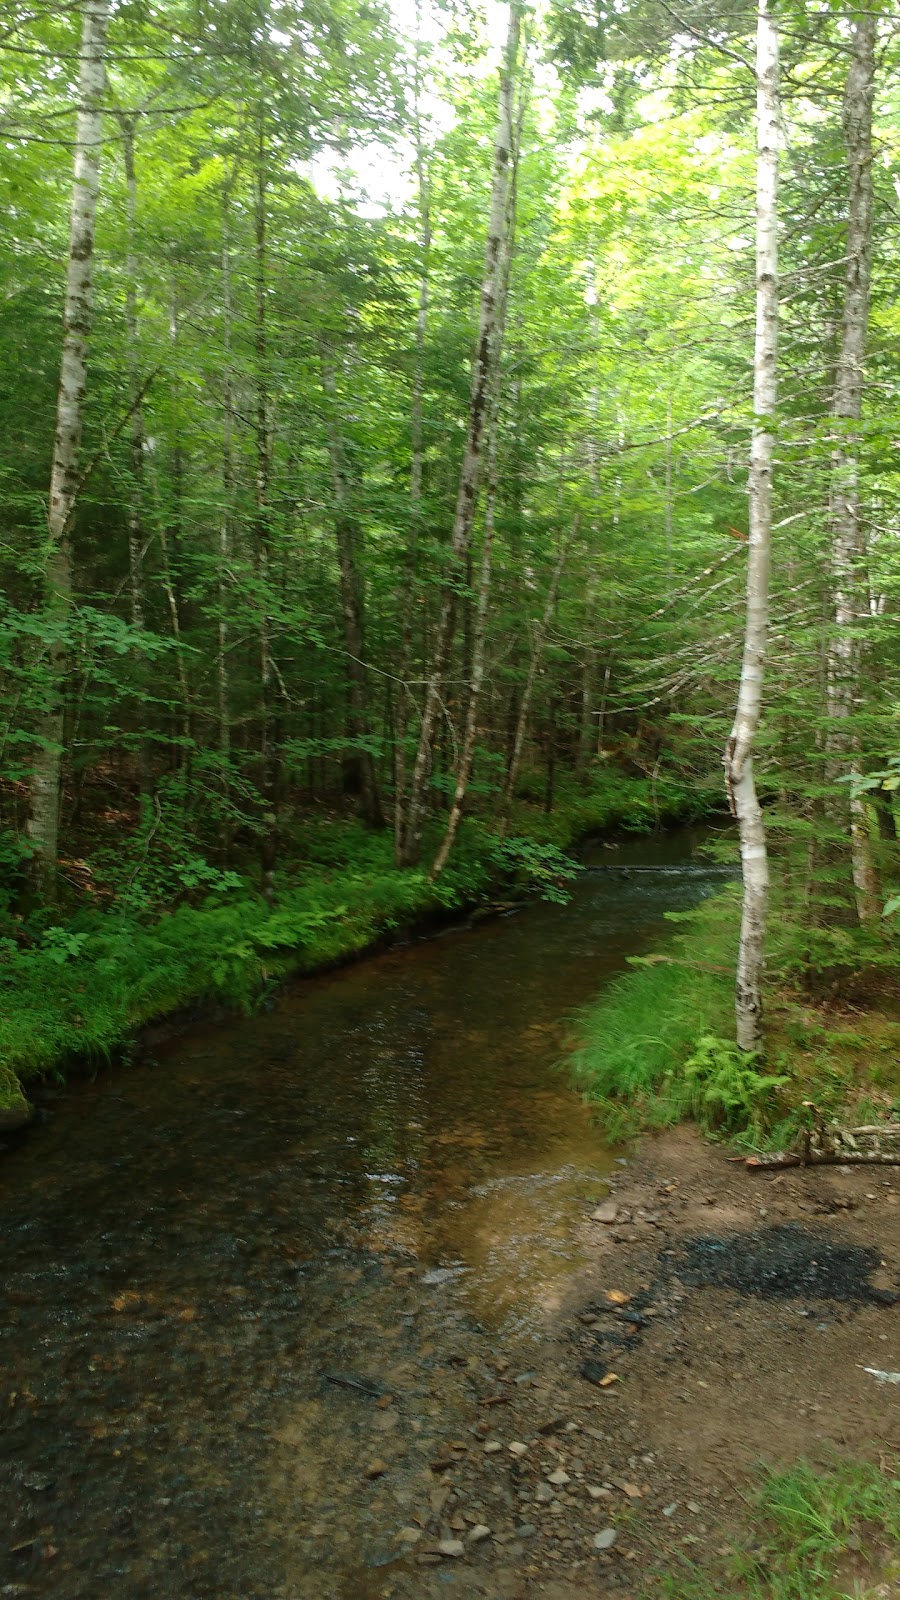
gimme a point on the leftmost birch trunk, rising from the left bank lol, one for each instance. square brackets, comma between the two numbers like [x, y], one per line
[44, 812]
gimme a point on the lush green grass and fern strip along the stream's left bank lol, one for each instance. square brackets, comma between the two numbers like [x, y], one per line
[79, 991]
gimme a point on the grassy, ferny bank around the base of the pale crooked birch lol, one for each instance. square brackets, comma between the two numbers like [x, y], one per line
[657, 1047]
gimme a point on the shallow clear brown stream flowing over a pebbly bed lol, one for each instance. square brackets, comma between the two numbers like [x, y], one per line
[247, 1282]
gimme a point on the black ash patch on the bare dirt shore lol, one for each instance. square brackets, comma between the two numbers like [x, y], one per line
[784, 1263]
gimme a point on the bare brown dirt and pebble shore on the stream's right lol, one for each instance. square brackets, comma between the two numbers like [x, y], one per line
[734, 1318]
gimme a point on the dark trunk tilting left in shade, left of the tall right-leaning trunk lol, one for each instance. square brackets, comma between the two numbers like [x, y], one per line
[353, 612]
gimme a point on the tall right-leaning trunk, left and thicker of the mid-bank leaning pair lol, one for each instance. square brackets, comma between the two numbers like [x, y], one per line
[488, 354]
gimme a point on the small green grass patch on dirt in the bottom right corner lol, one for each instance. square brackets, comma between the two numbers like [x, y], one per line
[816, 1535]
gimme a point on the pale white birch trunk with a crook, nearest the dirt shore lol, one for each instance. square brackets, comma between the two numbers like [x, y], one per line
[742, 743]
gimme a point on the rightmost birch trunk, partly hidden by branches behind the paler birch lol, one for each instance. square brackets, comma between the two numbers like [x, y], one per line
[848, 538]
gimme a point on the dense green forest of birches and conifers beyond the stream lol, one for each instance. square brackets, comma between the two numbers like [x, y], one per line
[433, 436]
